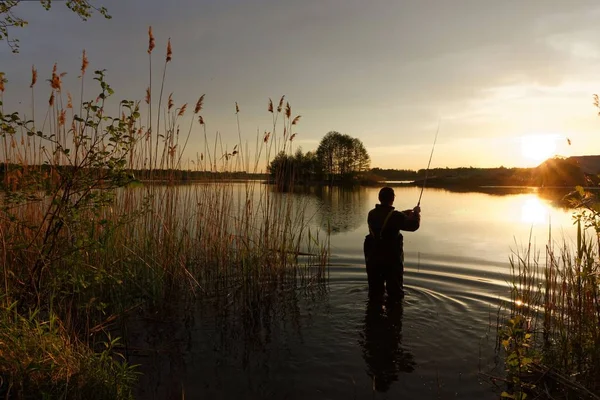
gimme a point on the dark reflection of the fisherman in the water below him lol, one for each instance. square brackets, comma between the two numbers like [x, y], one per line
[382, 344]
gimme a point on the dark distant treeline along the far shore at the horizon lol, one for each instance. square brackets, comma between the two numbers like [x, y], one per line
[553, 172]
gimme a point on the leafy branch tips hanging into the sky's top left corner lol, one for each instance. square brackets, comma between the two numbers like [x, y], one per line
[8, 19]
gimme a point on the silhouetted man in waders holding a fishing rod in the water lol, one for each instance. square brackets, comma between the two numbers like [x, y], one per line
[383, 247]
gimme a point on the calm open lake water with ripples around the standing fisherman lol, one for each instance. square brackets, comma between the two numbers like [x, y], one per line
[329, 342]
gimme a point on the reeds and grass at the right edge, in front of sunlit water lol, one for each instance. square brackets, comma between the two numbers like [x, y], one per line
[551, 336]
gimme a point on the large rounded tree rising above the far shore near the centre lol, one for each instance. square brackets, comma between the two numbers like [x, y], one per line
[342, 157]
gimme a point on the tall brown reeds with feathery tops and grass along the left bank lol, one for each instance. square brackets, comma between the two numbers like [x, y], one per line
[84, 242]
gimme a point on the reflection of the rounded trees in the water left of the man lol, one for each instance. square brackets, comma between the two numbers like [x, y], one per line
[342, 209]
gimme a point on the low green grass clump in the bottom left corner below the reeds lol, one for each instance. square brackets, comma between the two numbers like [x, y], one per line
[41, 360]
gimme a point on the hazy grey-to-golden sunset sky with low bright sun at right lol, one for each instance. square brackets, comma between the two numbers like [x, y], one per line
[505, 82]
